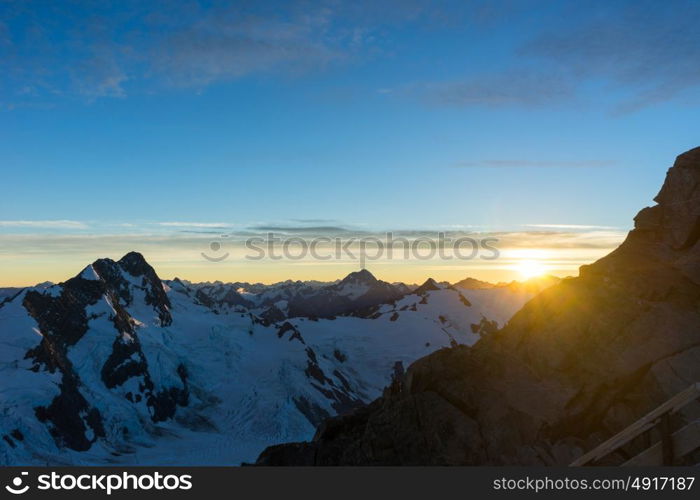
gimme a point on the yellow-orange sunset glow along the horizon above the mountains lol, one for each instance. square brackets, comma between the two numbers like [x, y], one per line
[61, 259]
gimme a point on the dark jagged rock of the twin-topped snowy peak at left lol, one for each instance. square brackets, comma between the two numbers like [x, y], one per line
[63, 317]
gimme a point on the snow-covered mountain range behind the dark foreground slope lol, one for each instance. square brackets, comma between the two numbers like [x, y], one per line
[116, 366]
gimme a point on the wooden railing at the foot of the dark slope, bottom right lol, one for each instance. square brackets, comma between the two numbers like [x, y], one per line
[672, 446]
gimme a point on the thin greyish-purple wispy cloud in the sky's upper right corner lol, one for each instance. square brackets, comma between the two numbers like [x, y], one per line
[634, 46]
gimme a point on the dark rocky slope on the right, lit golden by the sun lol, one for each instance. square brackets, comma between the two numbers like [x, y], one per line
[580, 362]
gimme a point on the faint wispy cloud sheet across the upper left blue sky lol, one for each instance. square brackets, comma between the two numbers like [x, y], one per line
[131, 47]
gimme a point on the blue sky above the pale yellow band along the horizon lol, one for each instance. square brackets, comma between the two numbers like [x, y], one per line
[376, 115]
